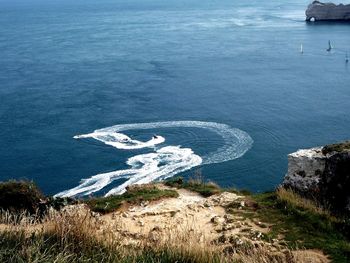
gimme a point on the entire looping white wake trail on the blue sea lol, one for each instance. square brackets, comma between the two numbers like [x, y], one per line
[164, 162]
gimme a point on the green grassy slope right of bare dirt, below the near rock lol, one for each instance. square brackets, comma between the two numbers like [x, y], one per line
[302, 223]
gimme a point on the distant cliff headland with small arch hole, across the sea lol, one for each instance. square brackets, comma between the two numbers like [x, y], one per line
[318, 11]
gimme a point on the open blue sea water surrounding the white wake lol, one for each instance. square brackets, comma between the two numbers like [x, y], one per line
[72, 67]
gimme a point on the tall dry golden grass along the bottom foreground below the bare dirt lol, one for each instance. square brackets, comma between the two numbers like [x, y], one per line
[77, 235]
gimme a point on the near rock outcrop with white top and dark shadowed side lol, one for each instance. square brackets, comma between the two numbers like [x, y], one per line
[321, 174]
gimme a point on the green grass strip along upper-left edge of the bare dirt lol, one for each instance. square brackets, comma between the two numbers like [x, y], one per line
[134, 195]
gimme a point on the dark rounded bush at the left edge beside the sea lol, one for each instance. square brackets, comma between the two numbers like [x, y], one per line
[18, 196]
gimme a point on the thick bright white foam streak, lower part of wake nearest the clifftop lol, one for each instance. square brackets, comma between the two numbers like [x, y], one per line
[145, 168]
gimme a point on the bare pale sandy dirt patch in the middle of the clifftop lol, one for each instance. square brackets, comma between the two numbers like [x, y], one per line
[190, 212]
